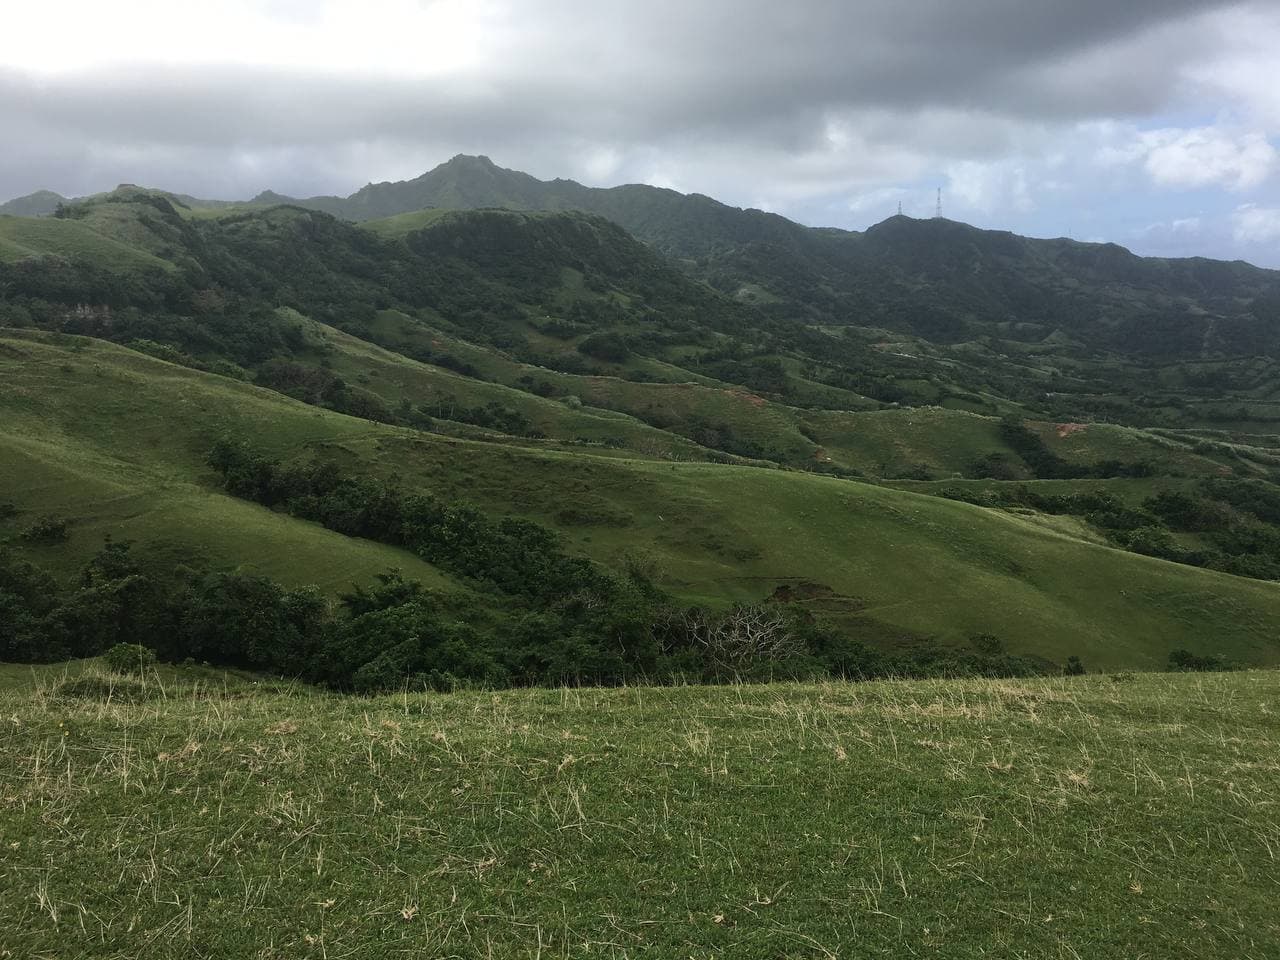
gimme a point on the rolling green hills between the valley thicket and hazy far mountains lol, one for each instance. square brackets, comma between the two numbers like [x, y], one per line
[550, 367]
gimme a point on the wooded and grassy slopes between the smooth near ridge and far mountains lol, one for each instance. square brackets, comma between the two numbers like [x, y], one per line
[561, 332]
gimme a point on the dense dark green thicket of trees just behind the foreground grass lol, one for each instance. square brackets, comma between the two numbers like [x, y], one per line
[399, 634]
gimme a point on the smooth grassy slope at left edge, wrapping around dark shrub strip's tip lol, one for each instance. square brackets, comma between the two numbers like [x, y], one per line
[116, 441]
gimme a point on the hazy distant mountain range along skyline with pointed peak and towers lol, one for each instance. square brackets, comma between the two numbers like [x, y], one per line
[939, 280]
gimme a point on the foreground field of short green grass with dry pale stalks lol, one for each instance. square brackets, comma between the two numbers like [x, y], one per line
[1095, 817]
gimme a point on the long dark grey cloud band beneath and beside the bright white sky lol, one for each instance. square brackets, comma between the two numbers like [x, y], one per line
[661, 68]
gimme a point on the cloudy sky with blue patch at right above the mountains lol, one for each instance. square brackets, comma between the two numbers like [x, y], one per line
[1154, 125]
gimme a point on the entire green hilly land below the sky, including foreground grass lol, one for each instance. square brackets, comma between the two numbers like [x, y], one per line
[392, 575]
